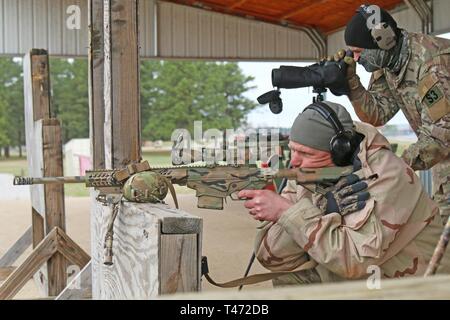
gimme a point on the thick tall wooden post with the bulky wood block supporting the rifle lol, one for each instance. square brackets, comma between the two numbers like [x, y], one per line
[149, 259]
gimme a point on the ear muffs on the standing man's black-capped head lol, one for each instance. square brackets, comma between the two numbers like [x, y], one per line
[382, 33]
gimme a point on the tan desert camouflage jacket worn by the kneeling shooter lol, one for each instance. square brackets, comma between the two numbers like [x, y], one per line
[397, 230]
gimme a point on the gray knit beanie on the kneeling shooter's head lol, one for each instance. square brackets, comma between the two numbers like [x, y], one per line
[311, 129]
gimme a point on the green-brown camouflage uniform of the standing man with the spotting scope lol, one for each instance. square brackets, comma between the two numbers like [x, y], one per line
[422, 91]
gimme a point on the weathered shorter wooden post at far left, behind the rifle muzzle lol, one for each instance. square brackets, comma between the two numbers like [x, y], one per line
[44, 154]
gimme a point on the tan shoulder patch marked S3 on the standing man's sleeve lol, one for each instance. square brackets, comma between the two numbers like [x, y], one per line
[433, 97]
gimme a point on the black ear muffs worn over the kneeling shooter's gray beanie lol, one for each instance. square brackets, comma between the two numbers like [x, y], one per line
[342, 144]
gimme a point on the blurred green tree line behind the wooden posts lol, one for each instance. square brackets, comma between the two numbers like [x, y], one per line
[174, 94]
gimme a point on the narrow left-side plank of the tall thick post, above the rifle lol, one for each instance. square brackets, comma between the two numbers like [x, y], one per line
[96, 83]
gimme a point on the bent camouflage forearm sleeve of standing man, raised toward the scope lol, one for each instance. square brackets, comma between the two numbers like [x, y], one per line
[376, 105]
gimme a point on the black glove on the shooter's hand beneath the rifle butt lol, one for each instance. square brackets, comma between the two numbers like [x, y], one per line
[347, 196]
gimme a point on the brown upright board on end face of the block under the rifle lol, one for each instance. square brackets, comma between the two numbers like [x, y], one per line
[179, 263]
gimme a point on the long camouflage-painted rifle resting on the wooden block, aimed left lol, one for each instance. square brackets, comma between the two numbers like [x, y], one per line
[212, 183]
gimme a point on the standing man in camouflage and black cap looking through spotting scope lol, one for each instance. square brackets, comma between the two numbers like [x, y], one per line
[410, 72]
